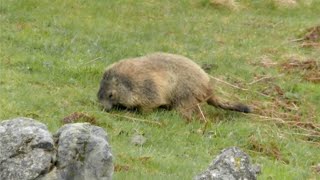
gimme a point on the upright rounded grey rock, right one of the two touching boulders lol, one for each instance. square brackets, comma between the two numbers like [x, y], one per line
[83, 153]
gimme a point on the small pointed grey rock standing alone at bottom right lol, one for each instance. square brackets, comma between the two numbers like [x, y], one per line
[231, 164]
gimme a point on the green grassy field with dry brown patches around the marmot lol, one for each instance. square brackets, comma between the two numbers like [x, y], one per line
[53, 54]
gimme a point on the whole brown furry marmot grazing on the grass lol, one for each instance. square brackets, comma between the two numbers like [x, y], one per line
[159, 80]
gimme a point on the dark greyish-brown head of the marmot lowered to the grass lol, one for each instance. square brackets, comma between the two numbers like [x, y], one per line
[115, 90]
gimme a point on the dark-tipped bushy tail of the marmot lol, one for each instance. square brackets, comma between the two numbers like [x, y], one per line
[224, 105]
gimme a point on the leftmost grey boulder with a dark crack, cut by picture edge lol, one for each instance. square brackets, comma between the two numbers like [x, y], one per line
[26, 149]
